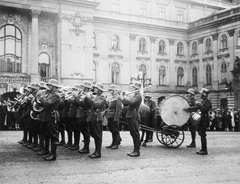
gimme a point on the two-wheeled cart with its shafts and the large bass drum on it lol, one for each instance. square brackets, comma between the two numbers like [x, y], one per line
[169, 132]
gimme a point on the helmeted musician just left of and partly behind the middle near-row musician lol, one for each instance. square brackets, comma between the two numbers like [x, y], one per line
[82, 113]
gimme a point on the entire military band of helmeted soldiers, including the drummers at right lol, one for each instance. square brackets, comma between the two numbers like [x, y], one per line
[47, 110]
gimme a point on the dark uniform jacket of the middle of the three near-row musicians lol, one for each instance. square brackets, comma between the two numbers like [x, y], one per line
[98, 104]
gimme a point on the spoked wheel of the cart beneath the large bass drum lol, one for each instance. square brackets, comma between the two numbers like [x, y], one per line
[172, 136]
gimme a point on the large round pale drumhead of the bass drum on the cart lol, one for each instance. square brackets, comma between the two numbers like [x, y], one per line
[171, 110]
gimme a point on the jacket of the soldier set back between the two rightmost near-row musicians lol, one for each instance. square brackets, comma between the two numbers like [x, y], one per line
[114, 110]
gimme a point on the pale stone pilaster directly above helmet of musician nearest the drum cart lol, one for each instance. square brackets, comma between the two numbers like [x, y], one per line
[133, 70]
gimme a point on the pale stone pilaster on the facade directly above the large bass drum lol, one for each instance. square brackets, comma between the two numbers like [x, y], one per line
[171, 72]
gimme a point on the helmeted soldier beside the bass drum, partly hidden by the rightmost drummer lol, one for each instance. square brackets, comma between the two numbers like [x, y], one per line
[192, 127]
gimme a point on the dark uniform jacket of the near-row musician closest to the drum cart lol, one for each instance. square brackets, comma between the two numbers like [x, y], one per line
[134, 104]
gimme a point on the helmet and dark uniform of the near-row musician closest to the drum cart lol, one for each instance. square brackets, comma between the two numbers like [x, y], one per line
[133, 118]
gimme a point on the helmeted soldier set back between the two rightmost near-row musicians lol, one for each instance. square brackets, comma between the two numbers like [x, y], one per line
[113, 115]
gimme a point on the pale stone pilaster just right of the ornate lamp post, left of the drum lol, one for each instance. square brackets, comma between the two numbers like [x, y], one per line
[153, 75]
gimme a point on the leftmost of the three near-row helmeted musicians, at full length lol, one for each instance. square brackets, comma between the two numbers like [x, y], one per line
[50, 118]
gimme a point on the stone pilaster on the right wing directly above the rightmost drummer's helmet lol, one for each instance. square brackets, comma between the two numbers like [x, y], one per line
[200, 68]
